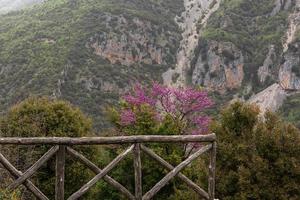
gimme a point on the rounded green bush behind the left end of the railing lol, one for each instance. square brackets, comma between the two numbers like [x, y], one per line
[38, 117]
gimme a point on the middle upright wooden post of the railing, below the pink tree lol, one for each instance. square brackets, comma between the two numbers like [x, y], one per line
[138, 171]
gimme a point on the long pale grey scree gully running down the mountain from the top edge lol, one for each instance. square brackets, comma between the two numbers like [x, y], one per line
[196, 13]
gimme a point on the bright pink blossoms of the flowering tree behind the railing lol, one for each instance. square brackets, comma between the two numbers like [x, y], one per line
[180, 103]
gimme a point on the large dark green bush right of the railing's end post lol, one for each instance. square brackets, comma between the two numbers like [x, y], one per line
[257, 159]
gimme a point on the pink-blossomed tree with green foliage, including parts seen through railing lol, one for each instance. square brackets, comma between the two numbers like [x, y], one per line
[162, 110]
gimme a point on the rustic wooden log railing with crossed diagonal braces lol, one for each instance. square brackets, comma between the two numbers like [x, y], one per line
[62, 146]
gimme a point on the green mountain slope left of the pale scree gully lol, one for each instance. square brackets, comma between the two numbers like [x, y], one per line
[85, 51]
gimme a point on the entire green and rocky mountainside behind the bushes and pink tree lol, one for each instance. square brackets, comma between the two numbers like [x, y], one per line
[88, 51]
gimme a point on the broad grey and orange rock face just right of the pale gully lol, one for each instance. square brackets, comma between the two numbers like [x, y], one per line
[221, 68]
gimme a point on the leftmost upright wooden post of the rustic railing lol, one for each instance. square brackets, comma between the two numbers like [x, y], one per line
[60, 173]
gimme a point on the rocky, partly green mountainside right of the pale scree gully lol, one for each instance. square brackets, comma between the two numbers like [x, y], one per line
[249, 50]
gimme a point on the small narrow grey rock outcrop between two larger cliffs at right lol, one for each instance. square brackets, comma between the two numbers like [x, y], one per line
[265, 70]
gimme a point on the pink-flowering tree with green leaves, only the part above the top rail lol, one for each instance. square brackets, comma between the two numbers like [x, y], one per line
[161, 109]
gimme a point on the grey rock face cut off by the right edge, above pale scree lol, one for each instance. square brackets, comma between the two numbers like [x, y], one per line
[289, 74]
